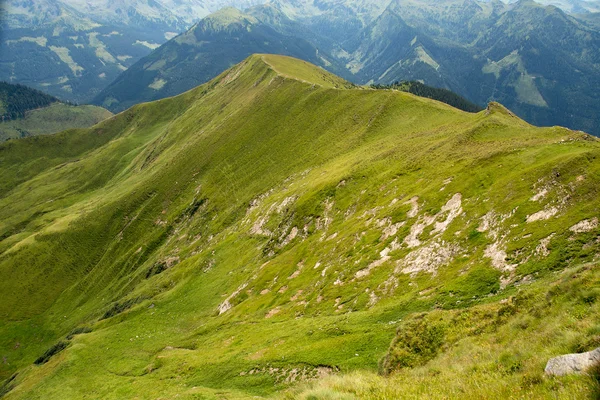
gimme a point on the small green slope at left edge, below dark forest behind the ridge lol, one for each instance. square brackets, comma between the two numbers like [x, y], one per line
[54, 118]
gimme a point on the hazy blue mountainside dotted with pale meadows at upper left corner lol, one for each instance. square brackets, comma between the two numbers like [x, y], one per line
[53, 47]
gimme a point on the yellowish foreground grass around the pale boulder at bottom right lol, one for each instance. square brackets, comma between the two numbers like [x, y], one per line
[494, 351]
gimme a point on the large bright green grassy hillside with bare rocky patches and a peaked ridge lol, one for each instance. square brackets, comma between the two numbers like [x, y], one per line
[278, 232]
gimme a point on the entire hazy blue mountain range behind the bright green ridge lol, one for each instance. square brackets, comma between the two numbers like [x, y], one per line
[540, 60]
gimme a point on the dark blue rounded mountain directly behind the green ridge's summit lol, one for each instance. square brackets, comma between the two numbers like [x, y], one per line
[215, 43]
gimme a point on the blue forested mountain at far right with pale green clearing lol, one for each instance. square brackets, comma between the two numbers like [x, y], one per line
[549, 66]
